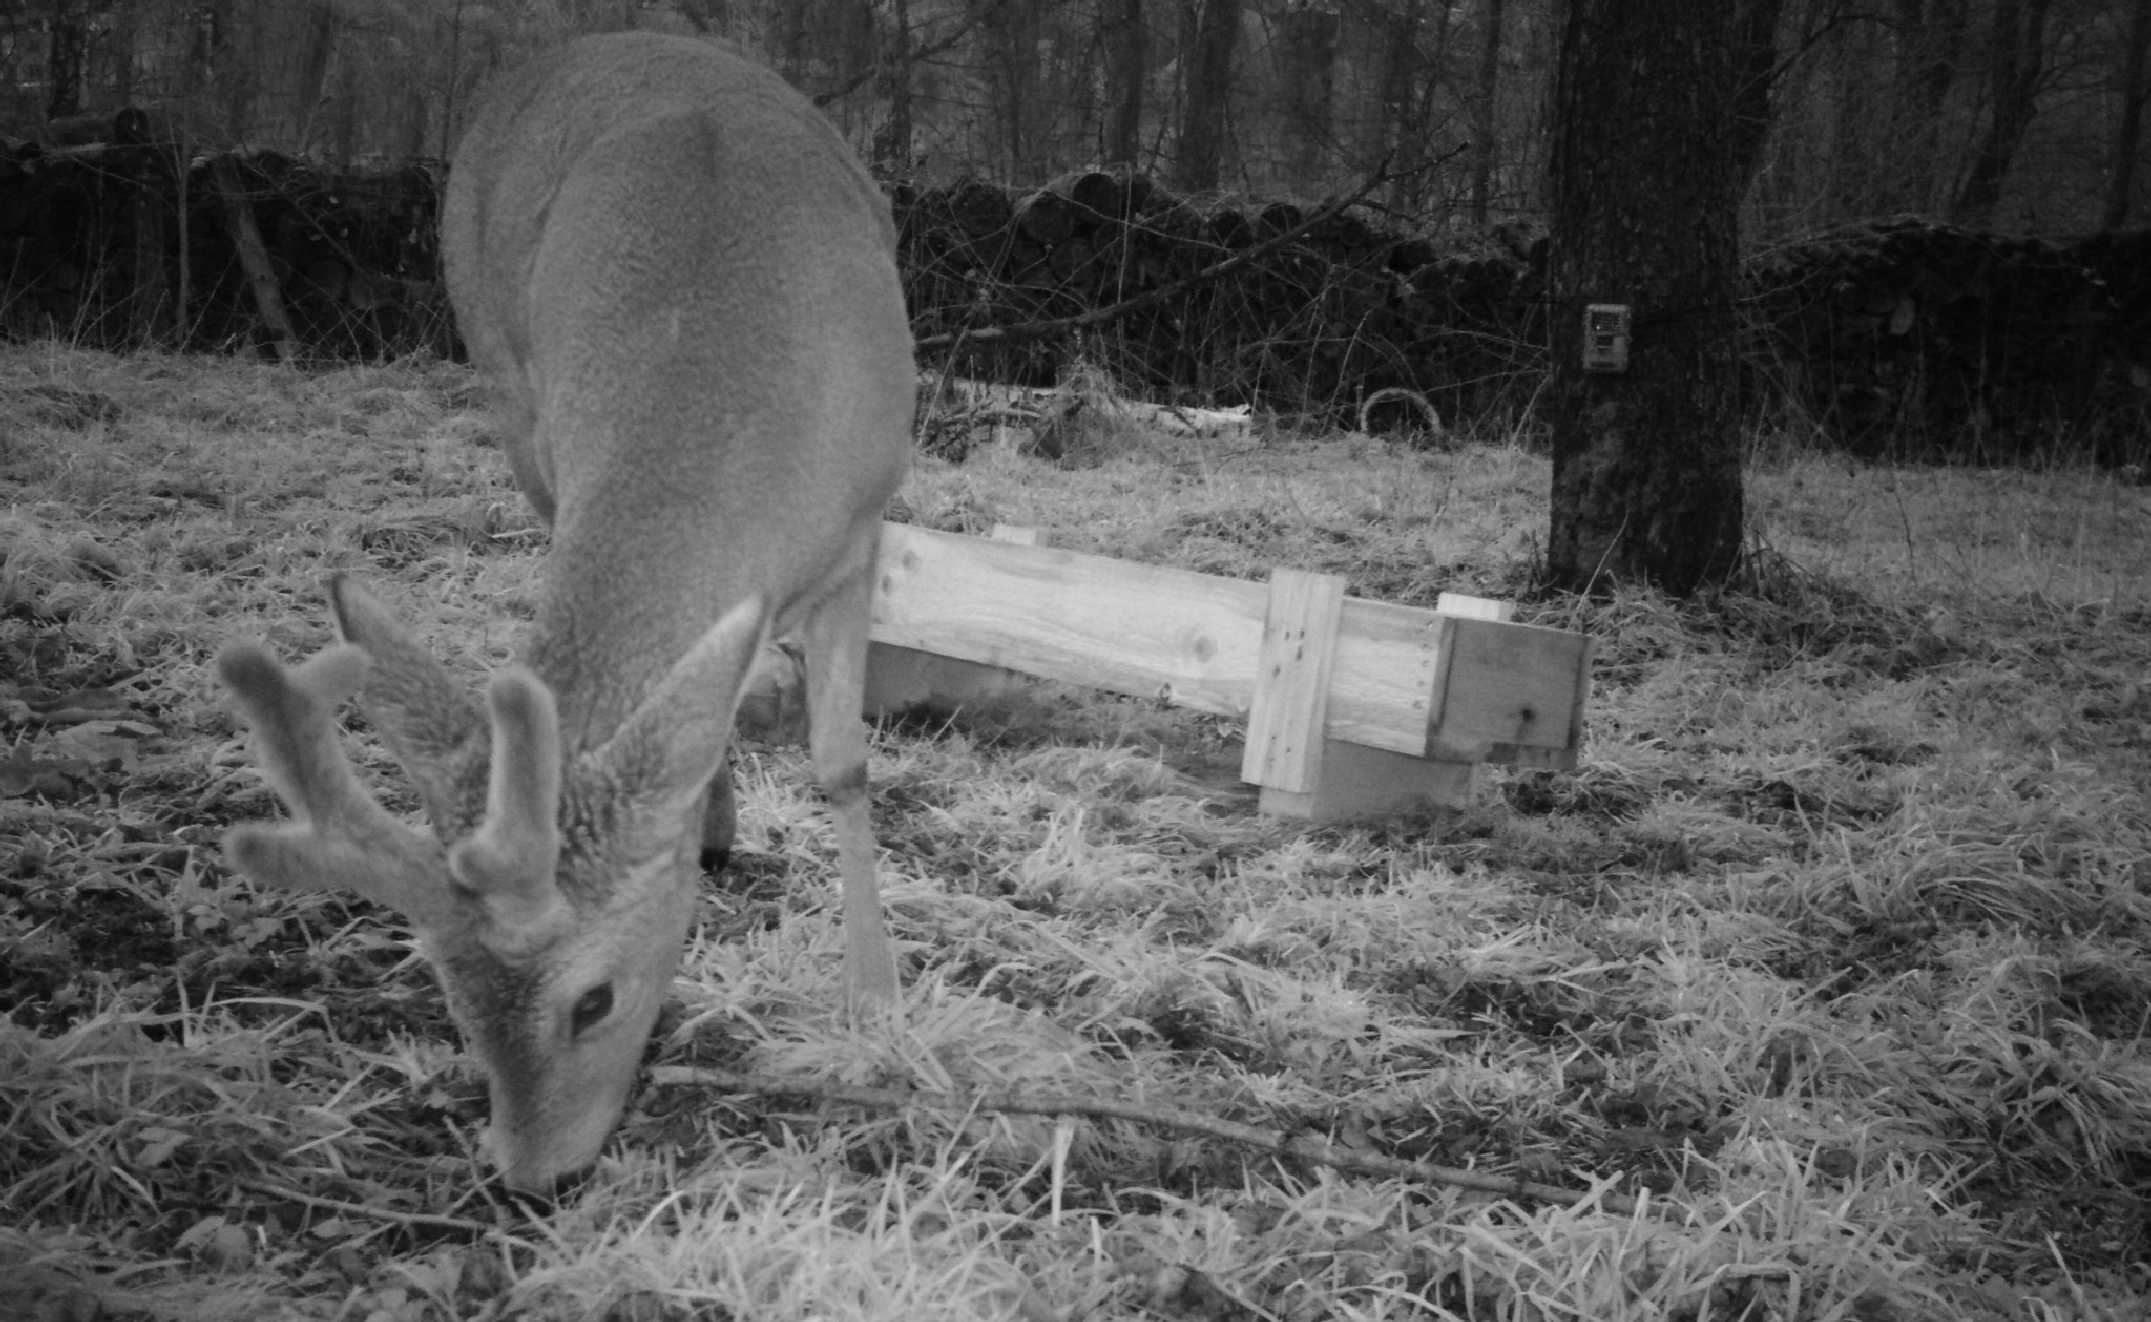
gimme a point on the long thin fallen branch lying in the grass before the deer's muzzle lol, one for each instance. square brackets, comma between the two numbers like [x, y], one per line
[1249, 1136]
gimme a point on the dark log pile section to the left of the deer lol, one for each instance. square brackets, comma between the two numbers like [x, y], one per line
[128, 242]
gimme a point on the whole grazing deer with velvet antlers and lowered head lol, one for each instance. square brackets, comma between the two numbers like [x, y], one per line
[683, 287]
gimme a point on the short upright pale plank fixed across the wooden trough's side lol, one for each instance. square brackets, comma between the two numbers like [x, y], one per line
[1292, 687]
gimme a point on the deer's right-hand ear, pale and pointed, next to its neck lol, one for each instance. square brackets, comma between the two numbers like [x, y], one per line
[676, 738]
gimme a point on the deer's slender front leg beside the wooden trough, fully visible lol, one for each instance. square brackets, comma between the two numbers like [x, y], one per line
[836, 646]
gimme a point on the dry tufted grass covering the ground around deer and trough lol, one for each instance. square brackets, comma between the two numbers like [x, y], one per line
[1834, 951]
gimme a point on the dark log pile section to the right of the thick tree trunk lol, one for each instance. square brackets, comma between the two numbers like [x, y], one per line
[1918, 339]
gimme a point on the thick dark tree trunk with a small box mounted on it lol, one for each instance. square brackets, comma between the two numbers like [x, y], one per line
[1647, 190]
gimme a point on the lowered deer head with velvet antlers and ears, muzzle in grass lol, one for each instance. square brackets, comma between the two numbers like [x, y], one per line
[552, 895]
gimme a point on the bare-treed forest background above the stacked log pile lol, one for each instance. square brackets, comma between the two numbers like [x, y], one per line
[1999, 115]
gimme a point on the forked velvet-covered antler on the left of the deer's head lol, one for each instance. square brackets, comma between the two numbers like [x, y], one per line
[345, 839]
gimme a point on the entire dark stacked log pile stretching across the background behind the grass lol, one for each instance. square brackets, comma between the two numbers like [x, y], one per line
[1892, 339]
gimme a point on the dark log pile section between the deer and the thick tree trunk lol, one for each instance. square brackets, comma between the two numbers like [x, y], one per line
[1350, 308]
